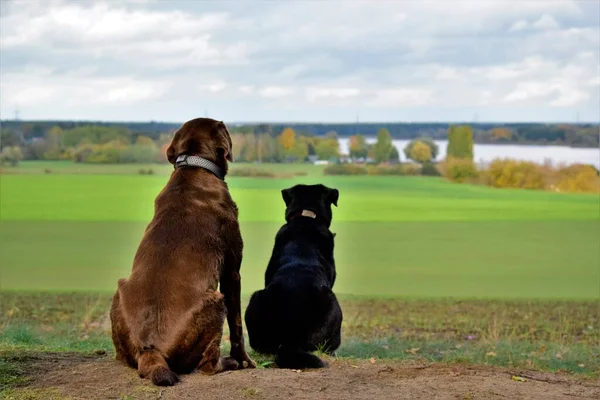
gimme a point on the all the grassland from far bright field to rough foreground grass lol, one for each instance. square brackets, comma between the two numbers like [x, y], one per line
[427, 269]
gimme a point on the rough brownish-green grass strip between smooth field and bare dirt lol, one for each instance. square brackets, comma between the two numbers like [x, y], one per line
[543, 335]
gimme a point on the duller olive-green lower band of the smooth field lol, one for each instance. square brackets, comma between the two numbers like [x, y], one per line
[522, 259]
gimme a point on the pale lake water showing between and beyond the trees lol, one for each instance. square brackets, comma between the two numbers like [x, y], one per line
[484, 153]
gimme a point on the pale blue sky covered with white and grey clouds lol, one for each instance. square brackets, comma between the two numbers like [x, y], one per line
[442, 60]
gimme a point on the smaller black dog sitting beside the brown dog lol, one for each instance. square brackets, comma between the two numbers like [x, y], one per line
[297, 312]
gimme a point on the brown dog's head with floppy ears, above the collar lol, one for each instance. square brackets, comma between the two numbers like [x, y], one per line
[203, 137]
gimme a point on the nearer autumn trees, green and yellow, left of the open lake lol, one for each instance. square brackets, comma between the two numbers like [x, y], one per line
[115, 144]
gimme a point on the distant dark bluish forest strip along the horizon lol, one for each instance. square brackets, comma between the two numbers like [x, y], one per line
[576, 135]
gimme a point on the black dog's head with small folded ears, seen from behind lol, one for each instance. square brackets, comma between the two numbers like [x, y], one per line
[310, 201]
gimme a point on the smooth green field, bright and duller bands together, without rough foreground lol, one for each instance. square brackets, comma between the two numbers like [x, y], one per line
[77, 228]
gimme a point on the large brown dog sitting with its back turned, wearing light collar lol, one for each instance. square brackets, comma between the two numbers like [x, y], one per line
[168, 316]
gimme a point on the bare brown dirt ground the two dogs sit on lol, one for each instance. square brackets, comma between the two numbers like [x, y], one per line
[79, 377]
